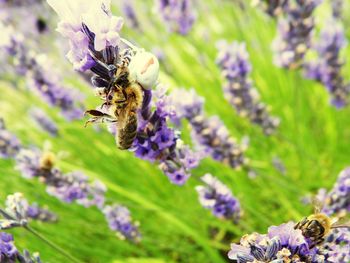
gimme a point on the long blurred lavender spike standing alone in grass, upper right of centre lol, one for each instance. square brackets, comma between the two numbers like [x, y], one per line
[233, 59]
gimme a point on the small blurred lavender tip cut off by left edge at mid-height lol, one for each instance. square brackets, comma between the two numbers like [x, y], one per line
[9, 144]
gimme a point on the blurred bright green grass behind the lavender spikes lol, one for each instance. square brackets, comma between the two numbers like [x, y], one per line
[312, 142]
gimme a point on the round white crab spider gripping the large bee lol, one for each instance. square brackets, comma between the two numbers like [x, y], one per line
[143, 67]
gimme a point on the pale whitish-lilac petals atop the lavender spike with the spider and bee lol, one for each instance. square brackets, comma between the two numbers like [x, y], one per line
[75, 14]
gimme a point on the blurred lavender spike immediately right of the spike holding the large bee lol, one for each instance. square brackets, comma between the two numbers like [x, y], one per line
[210, 134]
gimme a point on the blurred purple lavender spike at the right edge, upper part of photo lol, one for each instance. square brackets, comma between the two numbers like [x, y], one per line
[327, 69]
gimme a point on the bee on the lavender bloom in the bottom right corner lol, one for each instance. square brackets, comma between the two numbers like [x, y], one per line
[318, 226]
